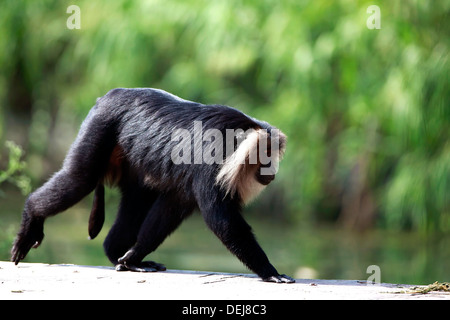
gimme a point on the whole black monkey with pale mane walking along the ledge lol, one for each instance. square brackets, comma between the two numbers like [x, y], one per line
[127, 141]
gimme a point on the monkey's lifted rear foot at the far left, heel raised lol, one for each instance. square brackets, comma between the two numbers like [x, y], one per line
[30, 236]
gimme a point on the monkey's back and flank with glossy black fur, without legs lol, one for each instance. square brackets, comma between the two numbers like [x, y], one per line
[146, 121]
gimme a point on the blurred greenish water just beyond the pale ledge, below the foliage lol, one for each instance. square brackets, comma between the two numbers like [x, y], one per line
[300, 251]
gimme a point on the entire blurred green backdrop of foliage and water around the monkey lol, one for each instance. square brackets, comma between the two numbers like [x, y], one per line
[366, 176]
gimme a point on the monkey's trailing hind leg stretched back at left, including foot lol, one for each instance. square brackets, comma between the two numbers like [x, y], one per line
[83, 168]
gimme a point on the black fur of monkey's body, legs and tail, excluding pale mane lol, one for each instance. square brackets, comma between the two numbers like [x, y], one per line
[126, 140]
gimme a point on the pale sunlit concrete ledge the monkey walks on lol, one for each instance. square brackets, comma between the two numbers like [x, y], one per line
[44, 281]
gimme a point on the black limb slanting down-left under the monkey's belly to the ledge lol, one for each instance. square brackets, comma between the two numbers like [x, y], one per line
[163, 218]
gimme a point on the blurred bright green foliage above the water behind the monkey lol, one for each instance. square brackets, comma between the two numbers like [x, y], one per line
[366, 111]
